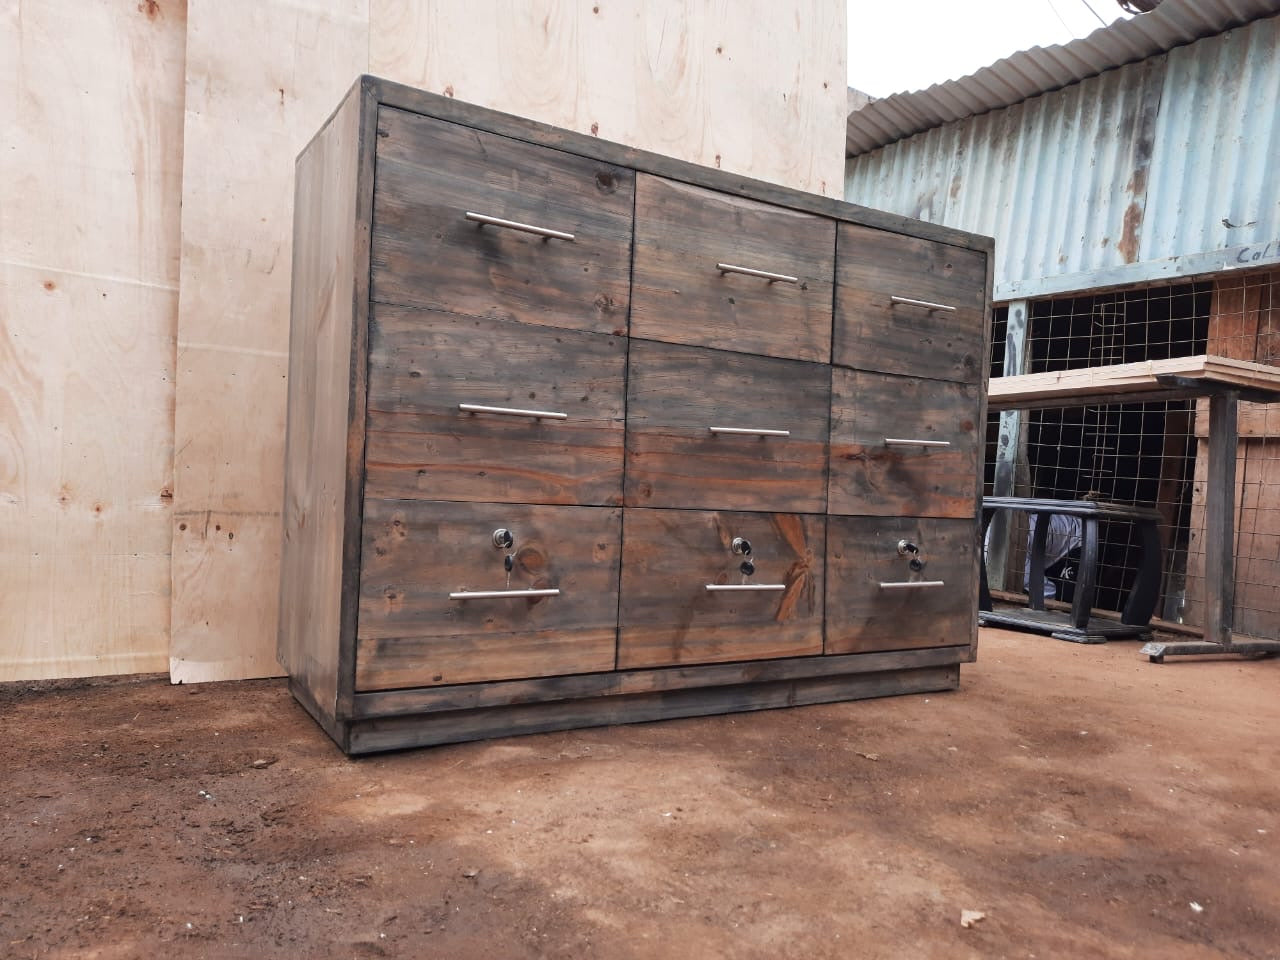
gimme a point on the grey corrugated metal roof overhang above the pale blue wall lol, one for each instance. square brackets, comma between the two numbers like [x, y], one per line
[1041, 70]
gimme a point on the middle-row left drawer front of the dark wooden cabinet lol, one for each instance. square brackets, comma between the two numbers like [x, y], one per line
[420, 444]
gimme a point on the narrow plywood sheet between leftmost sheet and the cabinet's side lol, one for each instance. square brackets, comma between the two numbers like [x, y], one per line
[262, 77]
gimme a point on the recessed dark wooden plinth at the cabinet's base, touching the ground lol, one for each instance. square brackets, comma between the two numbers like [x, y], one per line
[399, 733]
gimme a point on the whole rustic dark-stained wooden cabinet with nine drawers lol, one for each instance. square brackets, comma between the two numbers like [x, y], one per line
[580, 435]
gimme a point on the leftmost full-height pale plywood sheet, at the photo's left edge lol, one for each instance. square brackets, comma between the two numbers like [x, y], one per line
[90, 166]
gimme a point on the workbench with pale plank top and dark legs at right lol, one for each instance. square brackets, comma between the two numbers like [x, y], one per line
[1226, 383]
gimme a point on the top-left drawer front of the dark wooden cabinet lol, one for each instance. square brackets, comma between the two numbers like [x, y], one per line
[426, 253]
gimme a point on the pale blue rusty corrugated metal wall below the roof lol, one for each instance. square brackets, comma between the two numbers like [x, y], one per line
[1160, 170]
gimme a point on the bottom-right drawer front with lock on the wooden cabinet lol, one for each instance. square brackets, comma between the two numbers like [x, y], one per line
[863, 555]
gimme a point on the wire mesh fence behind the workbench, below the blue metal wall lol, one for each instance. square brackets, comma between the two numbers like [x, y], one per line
[1155, 454]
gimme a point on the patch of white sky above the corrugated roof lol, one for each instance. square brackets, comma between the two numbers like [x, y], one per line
[903, 45]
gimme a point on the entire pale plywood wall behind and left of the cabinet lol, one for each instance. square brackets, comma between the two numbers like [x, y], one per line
[145, 257]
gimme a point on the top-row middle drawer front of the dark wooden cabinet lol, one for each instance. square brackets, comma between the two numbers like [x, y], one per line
[680, 295]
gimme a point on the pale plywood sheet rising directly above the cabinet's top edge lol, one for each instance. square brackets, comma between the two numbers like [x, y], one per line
[753, 88]
